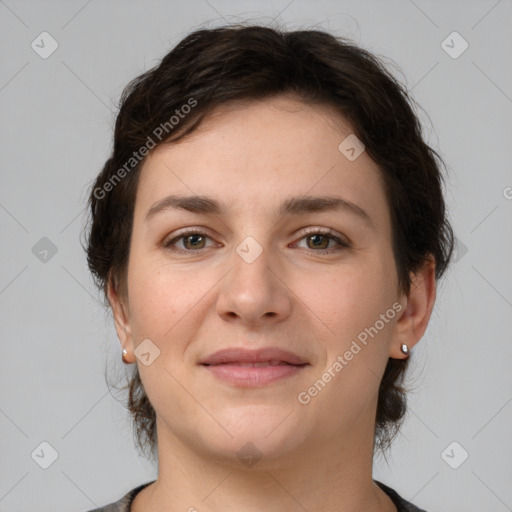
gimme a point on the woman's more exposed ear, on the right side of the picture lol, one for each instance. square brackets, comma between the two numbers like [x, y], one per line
[419, 303]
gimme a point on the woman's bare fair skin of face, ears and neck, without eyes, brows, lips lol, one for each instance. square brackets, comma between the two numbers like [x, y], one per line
[316, 456]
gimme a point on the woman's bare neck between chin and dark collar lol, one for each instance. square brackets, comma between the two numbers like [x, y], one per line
[330, 476]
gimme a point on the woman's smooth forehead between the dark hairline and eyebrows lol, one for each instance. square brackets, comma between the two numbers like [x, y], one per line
[252, 155]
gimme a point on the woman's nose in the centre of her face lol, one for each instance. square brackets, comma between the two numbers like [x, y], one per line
[255, 292]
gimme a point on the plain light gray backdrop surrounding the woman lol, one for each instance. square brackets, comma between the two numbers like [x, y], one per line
[56, 126]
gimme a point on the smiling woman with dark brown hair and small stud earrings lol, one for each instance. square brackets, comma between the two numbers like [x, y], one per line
[268, 231]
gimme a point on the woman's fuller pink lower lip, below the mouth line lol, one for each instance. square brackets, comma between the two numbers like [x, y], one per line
[253, 376]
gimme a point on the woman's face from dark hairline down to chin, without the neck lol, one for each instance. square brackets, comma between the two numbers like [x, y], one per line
[251, 269]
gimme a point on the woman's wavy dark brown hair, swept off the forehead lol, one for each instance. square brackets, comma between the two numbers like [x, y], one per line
[240, 62]
